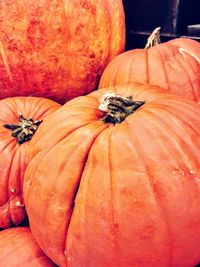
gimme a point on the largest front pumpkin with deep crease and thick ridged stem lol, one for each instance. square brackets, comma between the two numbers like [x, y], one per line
[123, 187]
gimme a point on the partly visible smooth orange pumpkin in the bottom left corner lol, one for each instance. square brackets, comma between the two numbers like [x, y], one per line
[19, 248]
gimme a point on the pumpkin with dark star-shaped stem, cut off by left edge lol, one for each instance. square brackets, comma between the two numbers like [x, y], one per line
[19, 119]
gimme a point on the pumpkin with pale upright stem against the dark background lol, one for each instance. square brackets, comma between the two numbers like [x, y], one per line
[173, 65]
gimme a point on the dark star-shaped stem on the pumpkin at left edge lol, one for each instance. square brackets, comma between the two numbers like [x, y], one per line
[24, 129]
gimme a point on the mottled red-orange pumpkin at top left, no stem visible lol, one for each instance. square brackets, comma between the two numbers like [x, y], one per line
[57, 49]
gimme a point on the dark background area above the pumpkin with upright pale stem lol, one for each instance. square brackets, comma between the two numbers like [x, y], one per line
[175, 17]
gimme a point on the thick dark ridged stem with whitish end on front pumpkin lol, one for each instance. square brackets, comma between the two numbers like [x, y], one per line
[117, 107]
